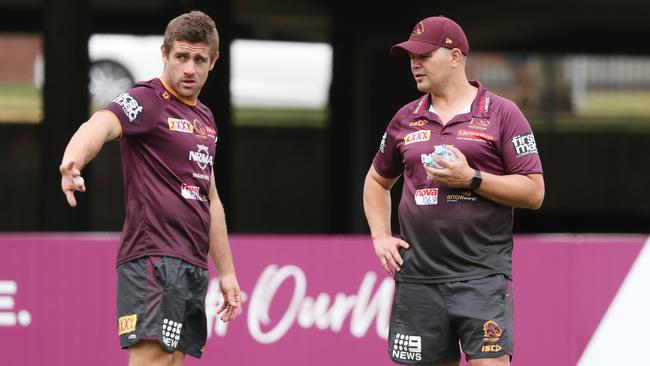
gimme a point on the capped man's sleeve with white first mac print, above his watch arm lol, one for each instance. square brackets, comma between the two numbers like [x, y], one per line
[519, 149]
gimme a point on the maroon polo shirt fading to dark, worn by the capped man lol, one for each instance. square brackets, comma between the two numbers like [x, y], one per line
[456, 234]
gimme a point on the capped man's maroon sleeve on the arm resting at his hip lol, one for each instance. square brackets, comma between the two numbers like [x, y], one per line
[388, 160]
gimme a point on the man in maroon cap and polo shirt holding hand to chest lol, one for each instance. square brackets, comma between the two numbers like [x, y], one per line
[453, 263]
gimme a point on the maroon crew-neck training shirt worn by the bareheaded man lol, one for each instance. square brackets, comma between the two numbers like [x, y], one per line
[167, 147]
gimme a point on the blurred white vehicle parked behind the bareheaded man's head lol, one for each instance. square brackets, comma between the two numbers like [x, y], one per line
[271, 74]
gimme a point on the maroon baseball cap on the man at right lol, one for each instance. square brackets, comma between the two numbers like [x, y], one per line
[431, 34]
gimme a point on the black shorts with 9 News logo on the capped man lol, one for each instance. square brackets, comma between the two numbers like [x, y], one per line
[428, 321]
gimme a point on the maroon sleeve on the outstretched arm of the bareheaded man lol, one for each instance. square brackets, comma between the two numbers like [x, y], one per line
[137, 109]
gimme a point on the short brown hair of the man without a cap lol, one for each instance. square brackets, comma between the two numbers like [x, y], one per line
[193, 27]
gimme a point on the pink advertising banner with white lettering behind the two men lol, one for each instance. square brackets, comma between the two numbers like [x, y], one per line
[317, 300]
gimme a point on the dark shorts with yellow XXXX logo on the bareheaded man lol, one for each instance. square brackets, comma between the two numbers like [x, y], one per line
[163, 299]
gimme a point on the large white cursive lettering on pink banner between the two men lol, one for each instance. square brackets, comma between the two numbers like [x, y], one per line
[288, 285]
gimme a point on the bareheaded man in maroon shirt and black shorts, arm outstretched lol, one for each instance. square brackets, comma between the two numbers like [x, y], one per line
[174, 217]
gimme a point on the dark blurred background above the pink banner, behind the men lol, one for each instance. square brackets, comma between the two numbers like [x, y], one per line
[302, 94]
